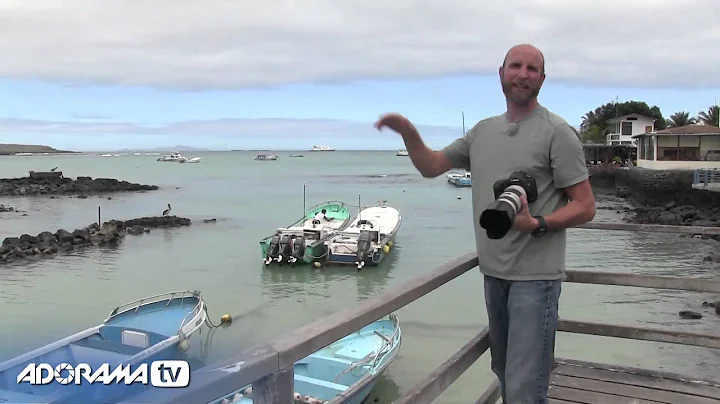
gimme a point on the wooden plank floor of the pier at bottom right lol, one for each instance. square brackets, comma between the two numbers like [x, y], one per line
[584, 382]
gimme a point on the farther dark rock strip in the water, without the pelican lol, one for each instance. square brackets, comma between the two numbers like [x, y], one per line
[30, 186]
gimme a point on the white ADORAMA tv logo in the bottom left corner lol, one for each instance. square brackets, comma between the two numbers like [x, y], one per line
[167, 374]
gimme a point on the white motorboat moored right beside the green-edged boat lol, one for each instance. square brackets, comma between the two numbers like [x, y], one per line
[368, 240]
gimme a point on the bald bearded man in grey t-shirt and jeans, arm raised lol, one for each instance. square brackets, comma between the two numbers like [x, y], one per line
[523, 271]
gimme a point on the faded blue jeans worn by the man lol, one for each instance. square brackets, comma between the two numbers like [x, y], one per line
[523, 318]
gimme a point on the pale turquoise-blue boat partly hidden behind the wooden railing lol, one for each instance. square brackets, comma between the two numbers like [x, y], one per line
[343, 372]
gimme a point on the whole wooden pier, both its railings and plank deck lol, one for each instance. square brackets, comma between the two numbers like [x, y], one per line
[268, 367]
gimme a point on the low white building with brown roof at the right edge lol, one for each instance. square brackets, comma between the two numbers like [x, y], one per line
[684, 148]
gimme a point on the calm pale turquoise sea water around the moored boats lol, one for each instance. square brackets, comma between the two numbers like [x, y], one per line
[50, 299]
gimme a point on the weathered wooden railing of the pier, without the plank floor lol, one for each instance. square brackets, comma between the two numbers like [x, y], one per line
[269, 367]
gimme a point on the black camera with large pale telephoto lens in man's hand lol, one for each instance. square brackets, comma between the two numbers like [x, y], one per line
[498, 218]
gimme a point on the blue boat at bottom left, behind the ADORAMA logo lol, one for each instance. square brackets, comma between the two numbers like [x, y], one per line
[135, 333]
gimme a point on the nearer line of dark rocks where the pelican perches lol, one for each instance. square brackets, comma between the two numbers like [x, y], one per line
[48, 245]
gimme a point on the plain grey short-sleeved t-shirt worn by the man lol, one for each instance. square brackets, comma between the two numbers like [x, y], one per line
[546, 147]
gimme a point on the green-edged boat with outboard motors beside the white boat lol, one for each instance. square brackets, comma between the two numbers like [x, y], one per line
[303, 241]
